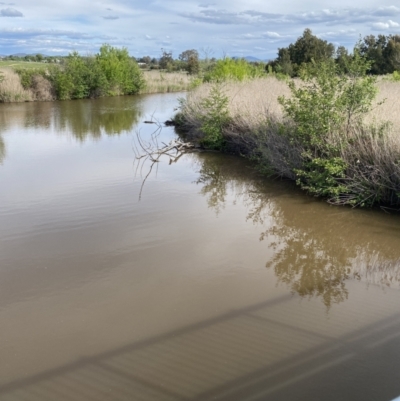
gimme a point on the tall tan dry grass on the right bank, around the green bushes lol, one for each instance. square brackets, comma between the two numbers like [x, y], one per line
[371, 150]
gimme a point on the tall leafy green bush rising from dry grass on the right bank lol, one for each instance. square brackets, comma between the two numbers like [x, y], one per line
[324, 107]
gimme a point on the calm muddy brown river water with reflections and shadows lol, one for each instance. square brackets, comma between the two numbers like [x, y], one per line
[217, 284]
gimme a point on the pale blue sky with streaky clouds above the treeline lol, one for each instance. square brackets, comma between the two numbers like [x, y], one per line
[214, 28]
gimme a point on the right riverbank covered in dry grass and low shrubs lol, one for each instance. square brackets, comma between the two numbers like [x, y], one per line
[363, 170]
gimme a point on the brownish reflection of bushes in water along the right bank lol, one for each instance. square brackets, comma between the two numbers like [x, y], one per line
[317, 248]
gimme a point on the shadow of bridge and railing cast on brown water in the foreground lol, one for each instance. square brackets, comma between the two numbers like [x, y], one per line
[268, 351]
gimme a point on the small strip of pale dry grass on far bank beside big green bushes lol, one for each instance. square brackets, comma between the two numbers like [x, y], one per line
[164, 82]
